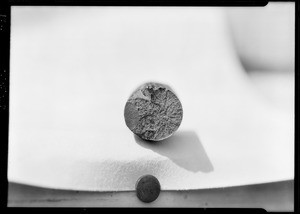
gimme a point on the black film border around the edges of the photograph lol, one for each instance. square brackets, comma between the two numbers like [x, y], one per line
[5, 15]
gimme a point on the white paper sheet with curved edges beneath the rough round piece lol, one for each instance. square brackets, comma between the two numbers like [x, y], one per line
[72, 70]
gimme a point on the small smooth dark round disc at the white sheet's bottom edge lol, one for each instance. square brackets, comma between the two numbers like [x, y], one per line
[147, 188]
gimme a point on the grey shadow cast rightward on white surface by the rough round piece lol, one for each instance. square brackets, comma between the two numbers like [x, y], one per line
[183, 148]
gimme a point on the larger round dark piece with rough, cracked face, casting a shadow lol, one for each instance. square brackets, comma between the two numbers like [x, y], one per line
[153, 112]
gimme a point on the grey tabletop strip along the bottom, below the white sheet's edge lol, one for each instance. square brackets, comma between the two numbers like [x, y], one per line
[278, 196]
